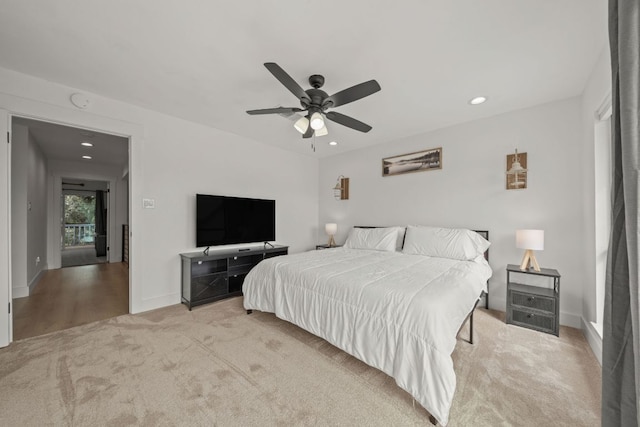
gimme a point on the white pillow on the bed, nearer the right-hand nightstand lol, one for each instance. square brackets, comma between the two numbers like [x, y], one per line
[453, 243]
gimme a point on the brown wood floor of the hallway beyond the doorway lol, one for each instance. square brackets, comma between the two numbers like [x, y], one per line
[72, 296]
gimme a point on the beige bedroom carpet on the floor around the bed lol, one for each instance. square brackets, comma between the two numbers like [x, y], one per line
[218, 366]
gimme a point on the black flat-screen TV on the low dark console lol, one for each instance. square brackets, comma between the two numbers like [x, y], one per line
[222, 220]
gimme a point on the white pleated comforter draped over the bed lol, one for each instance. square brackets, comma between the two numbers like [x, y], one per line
[398, 313]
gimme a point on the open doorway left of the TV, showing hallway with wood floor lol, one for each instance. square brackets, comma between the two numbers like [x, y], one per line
[74, 183]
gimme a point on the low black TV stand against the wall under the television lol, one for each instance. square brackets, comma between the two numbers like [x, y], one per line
[220, 273]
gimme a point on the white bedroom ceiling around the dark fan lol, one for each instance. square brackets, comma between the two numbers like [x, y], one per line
[202, 60]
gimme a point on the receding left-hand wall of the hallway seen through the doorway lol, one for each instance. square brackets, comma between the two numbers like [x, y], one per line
[36, 213]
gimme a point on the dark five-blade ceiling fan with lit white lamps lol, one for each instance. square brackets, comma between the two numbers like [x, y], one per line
[316, 102]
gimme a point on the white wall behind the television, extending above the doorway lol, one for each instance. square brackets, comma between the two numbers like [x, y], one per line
[170, 161]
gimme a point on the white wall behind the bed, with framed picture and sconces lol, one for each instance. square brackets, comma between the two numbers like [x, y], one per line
[470, 191]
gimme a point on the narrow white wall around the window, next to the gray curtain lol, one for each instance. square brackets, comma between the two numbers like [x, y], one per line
[598, 88]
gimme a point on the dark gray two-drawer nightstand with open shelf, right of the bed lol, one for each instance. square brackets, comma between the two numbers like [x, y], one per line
[531, 306]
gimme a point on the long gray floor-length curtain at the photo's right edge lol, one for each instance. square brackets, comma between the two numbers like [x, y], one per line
[621, 340]
